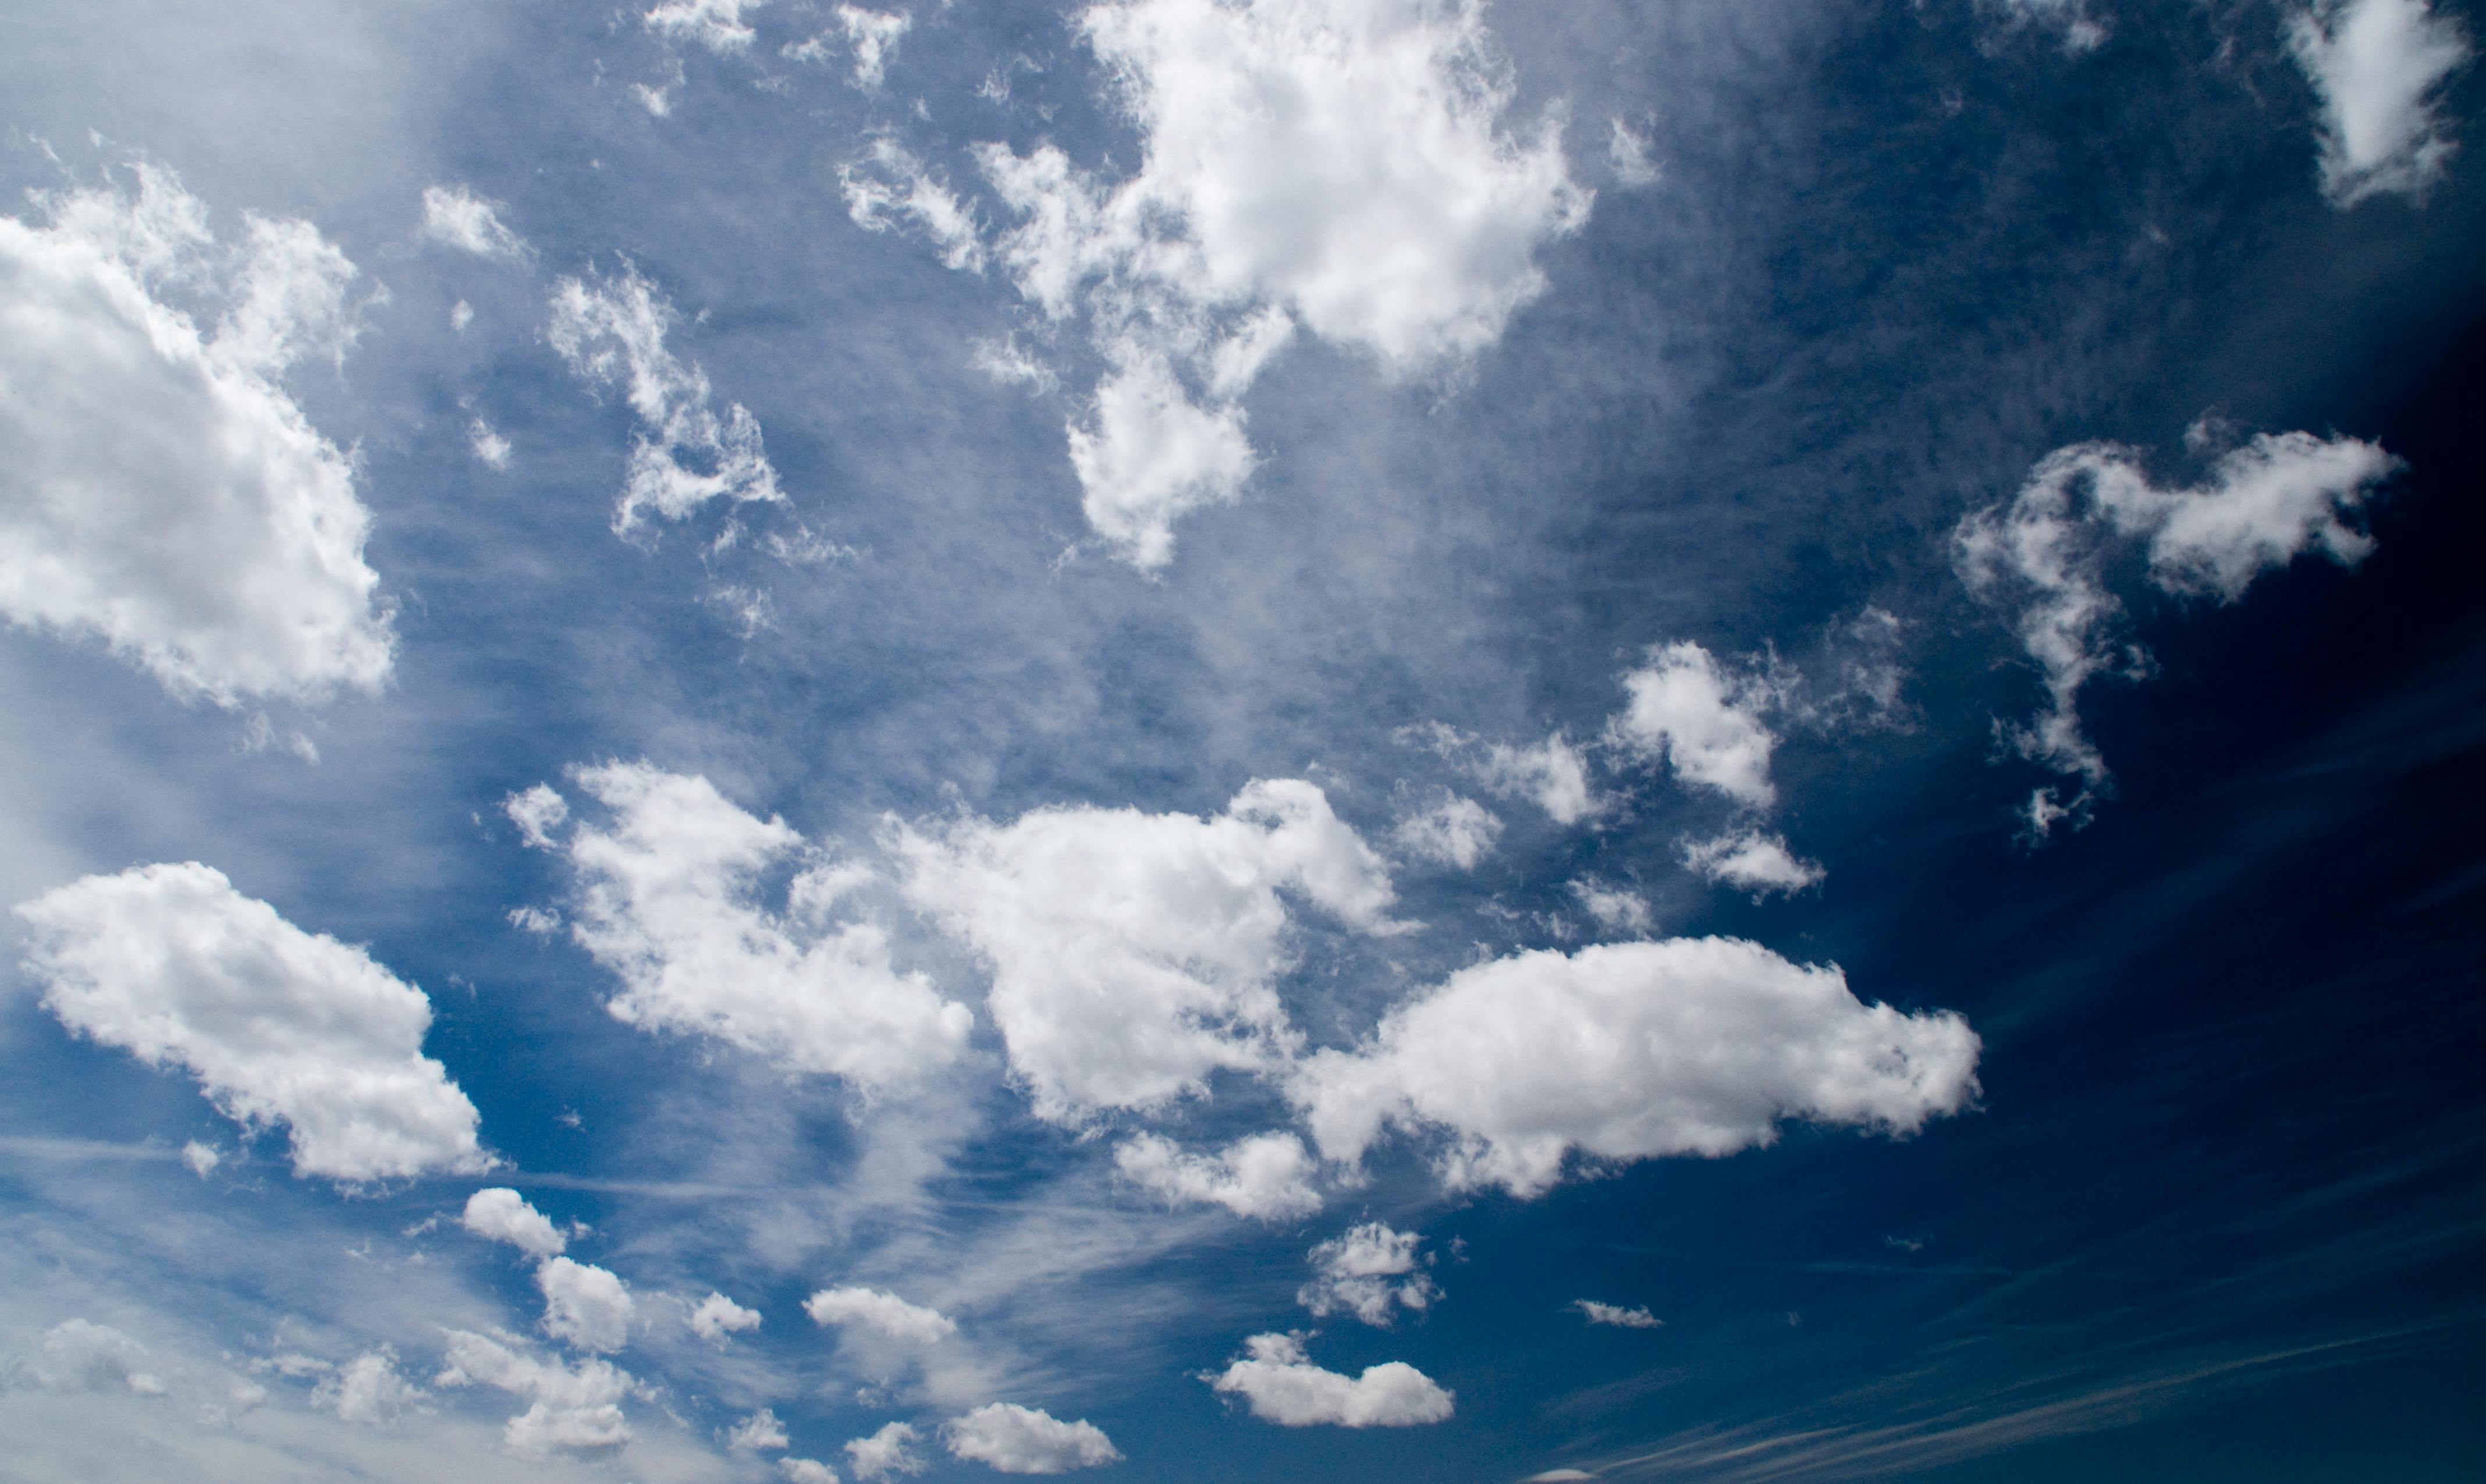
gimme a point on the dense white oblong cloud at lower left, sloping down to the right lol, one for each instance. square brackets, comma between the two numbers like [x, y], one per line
[280, 1025]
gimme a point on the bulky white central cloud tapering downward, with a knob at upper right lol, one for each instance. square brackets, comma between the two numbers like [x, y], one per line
[1135, 953]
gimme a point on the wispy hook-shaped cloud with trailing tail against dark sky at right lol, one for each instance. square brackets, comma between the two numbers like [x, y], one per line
[2045, 553]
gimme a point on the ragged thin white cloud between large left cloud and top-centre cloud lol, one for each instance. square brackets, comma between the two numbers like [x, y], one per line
[615, 329]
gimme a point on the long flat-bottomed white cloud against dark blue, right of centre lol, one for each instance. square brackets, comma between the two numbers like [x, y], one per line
[1632, 1050]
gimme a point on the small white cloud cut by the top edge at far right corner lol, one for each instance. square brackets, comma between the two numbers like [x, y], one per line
[2380, 68]
